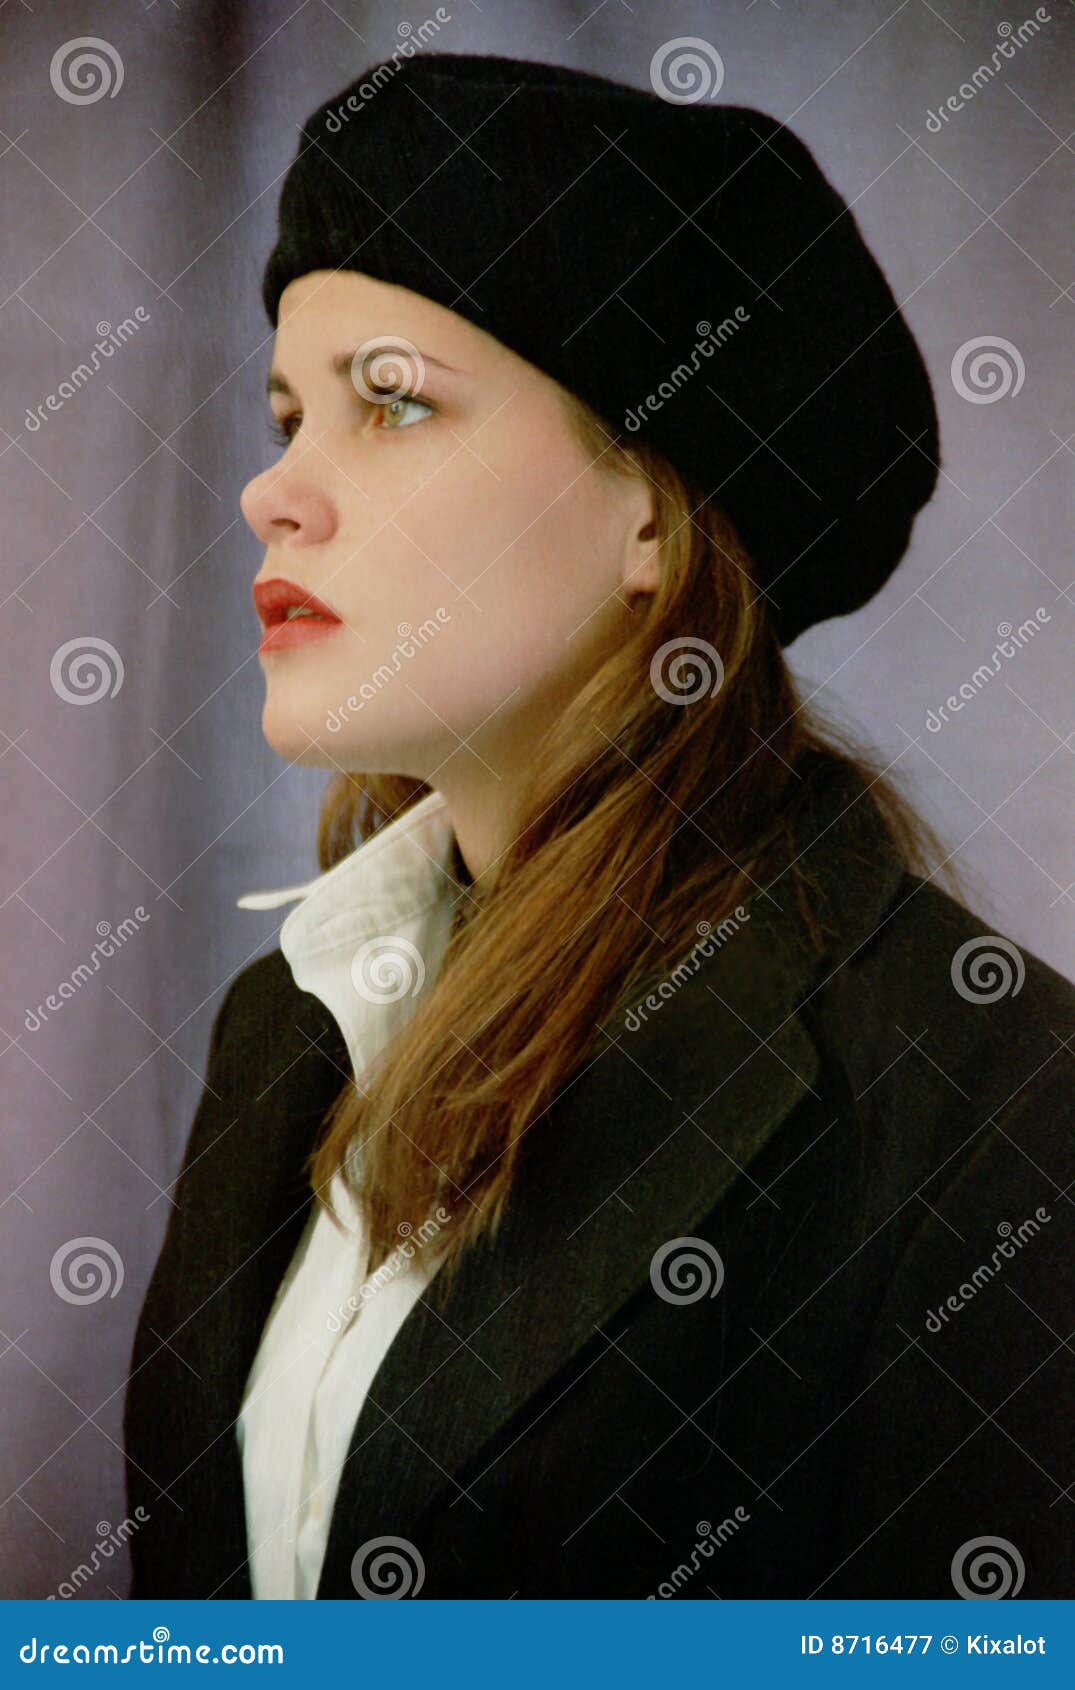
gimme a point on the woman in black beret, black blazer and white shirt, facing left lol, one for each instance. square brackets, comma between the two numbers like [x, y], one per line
[582, 1192]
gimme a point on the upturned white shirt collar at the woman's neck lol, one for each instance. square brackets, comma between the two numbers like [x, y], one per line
[368, 935]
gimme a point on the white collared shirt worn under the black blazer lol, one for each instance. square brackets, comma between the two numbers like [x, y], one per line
[368, 939]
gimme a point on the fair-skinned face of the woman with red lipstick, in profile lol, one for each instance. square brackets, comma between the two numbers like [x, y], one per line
[481, 565]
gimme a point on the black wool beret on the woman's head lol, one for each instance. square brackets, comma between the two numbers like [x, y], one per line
[680, 264]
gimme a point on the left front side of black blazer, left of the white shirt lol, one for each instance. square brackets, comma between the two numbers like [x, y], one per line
[243, 1206]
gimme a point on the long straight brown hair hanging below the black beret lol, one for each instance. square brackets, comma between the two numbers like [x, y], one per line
[640, 814]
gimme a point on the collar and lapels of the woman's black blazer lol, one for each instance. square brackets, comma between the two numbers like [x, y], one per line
[636, 1150]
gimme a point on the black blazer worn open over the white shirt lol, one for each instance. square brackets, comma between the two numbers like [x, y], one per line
[881, 1378]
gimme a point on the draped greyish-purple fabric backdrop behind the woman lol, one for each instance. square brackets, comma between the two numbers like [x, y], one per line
[139, 177]
